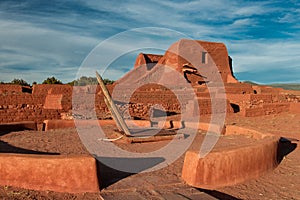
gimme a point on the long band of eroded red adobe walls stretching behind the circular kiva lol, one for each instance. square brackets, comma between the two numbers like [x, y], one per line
[56, 102]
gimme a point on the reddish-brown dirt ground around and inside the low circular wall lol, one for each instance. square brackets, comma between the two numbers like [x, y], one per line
[166, 183]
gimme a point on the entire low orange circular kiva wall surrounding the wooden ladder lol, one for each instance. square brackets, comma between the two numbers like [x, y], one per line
[221, 167]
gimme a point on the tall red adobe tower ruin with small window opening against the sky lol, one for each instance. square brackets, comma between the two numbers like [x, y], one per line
[201, 54]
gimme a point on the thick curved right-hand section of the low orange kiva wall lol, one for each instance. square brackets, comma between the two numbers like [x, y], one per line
[229, 167]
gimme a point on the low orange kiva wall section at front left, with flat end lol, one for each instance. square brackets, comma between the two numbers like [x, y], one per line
[72, 174]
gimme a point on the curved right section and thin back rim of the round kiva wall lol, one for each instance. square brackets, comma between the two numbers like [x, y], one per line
[222, 166]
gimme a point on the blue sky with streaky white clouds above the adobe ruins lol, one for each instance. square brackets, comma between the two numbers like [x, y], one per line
[39, 39]
